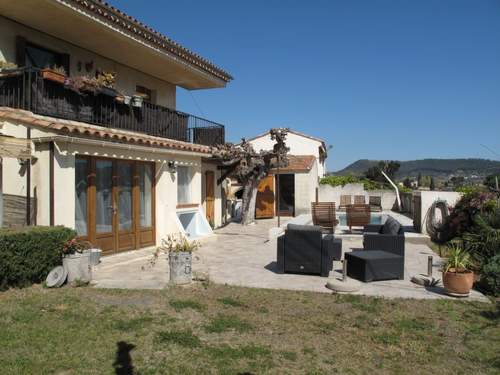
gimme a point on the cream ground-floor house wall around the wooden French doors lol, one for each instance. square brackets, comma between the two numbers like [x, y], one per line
[64, 178]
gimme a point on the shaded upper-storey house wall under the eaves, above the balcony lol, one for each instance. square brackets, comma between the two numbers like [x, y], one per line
[127, 78]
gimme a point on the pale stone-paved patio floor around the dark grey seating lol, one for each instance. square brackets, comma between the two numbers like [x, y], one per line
[244, 256]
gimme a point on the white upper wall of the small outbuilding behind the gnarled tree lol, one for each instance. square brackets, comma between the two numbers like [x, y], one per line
[299, 145]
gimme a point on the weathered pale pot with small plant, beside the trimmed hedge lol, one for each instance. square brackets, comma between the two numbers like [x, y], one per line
[76, 260]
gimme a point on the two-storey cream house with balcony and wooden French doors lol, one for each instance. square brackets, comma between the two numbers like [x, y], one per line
[121, 165]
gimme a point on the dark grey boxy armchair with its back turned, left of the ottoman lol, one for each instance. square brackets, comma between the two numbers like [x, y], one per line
[304, 249]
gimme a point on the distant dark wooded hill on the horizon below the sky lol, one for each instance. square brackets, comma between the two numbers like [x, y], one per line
[442, 168]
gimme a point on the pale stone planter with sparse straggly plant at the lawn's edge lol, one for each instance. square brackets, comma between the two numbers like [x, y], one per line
[179, 251]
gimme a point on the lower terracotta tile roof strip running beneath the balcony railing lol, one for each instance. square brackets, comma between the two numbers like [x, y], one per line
[79, 128]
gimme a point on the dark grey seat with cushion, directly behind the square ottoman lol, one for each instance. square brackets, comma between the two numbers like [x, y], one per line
[388, 237]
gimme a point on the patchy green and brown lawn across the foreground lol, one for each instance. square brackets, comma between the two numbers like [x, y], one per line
[229, 330]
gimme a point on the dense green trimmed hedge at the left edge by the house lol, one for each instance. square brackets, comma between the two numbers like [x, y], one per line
[27, 255]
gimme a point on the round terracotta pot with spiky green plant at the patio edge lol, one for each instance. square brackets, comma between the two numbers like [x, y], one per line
[457, 276]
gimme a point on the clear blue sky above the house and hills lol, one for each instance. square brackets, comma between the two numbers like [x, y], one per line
[377, 79]
